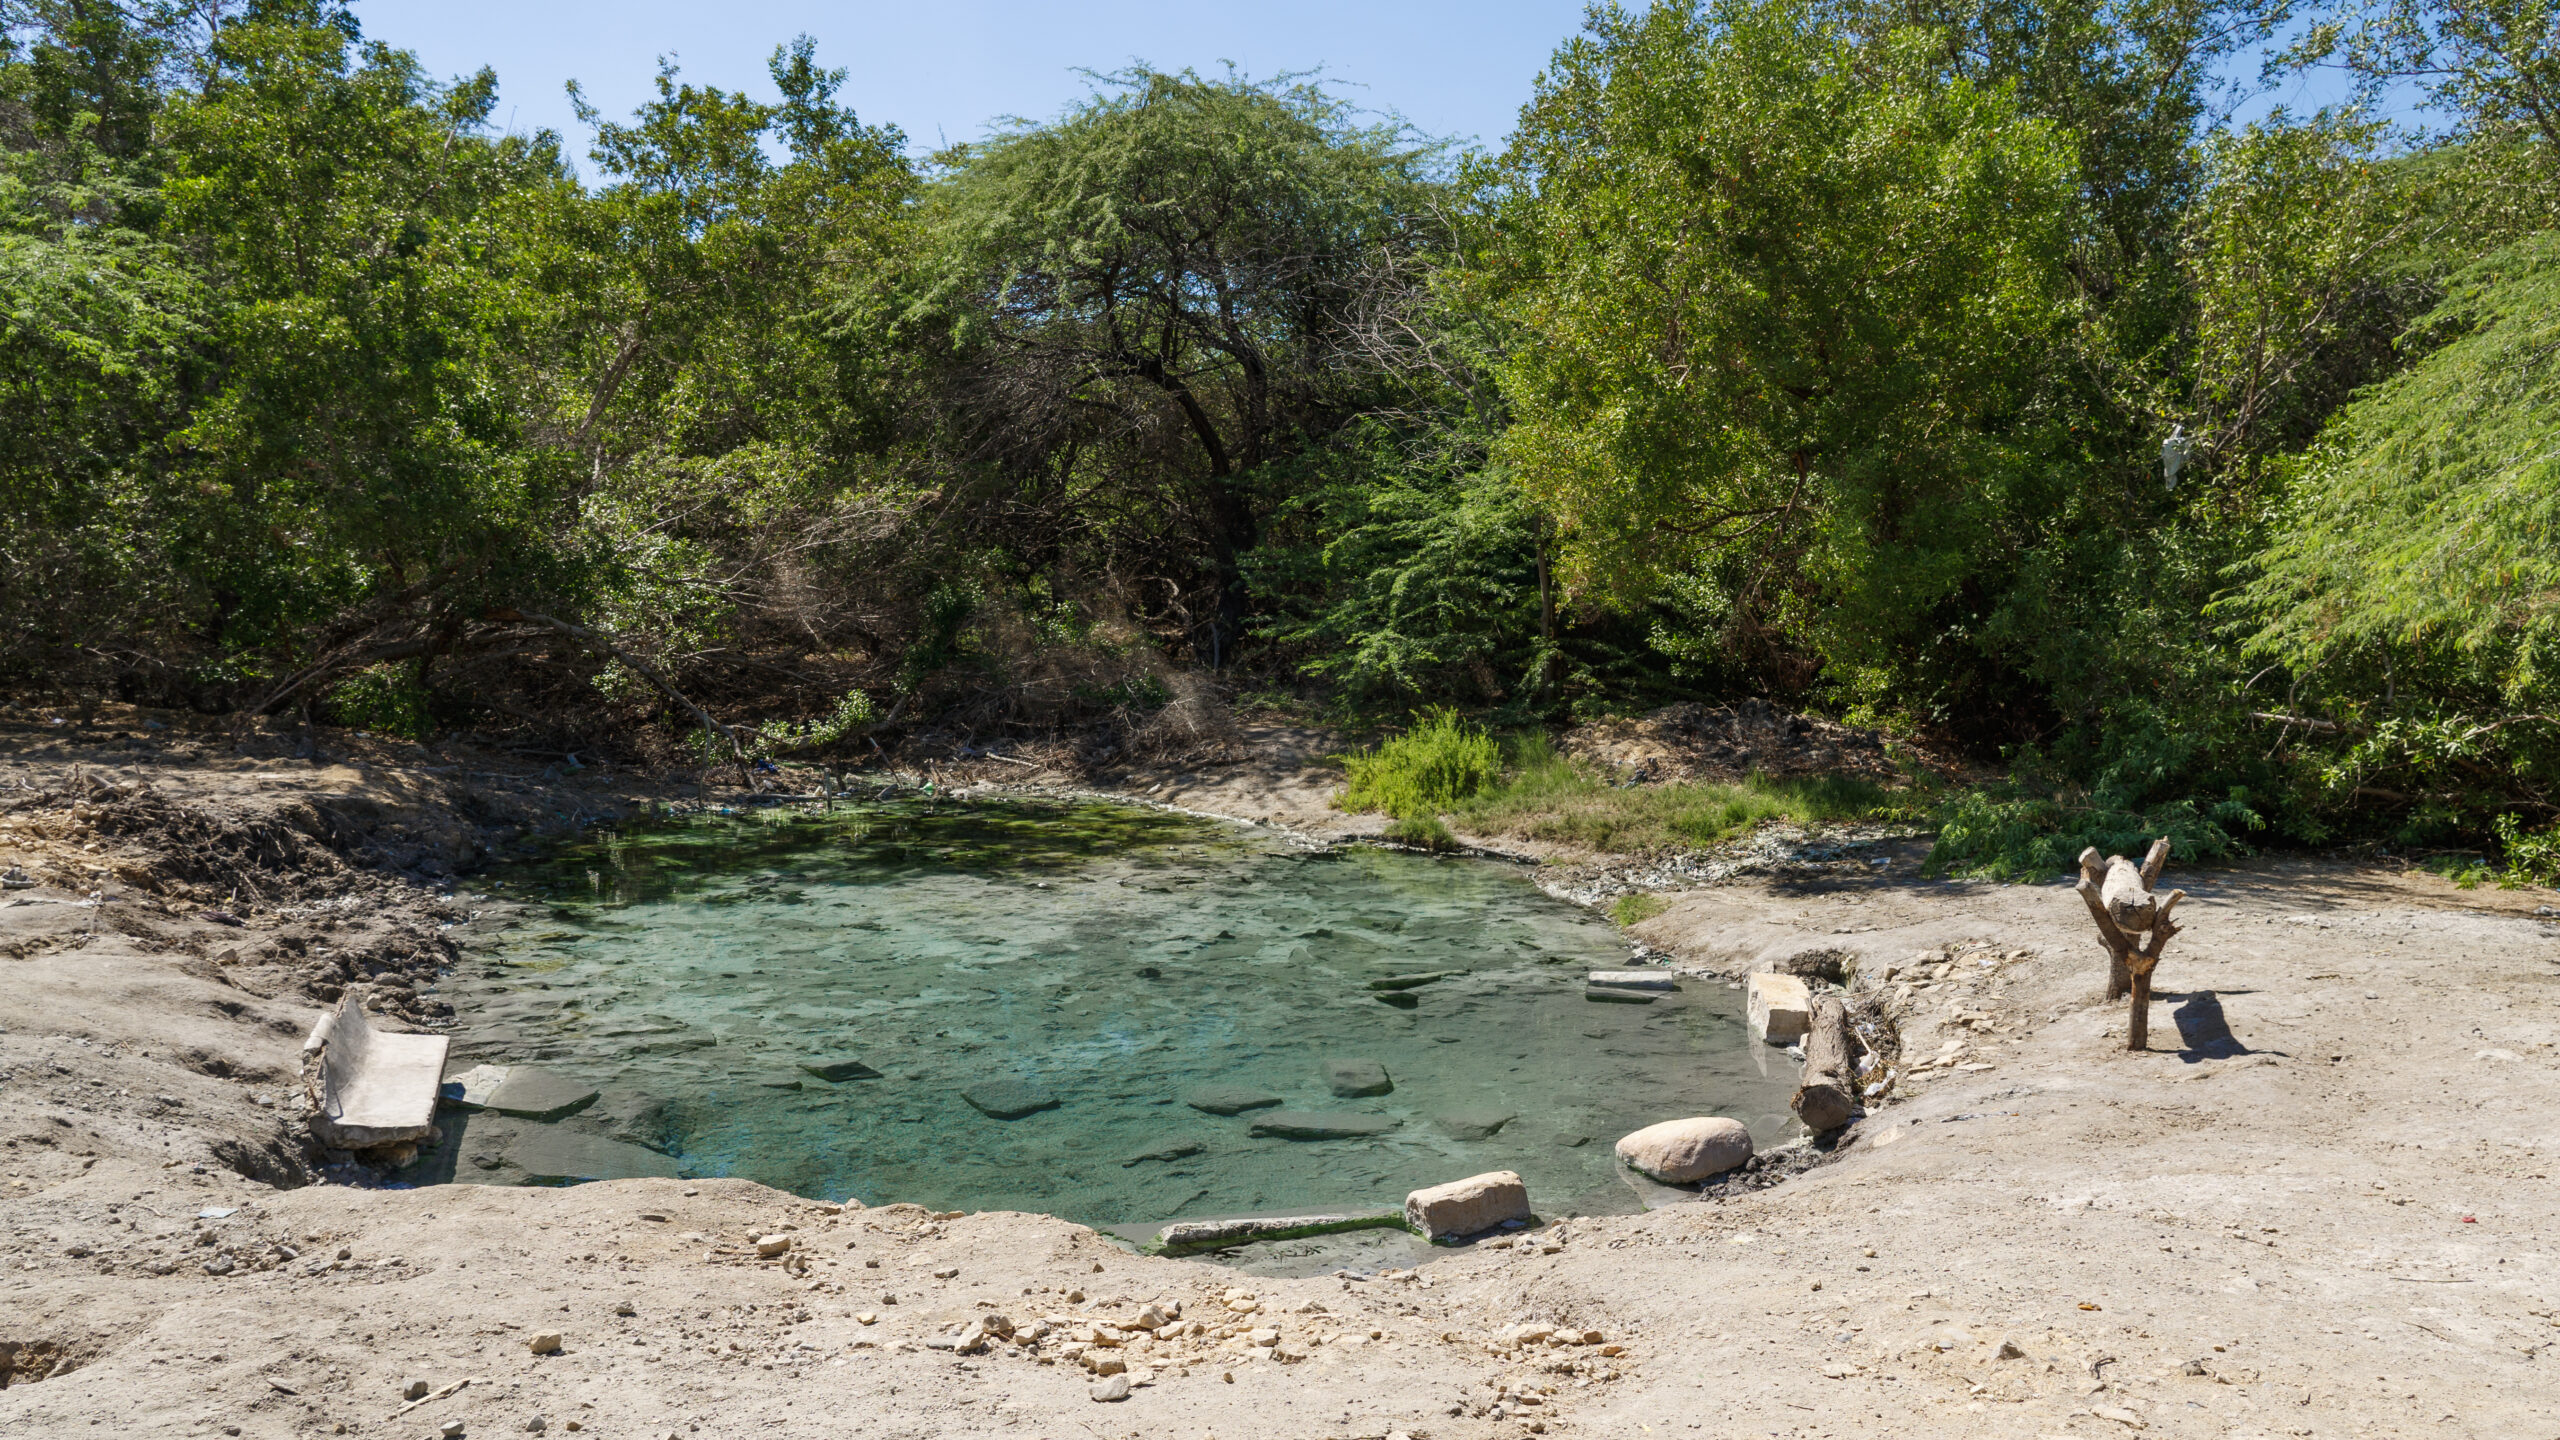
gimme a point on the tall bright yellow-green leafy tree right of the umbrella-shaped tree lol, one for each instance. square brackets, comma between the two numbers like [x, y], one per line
[1783, 301]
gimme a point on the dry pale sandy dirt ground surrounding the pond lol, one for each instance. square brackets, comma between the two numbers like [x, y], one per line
[2318, 1206]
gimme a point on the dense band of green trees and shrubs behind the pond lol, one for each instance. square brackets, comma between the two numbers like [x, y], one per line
[1942, 368]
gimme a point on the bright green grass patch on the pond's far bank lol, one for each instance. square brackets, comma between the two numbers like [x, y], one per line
[1448, 767]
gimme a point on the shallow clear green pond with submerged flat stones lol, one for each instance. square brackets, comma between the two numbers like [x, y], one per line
[1107, 960]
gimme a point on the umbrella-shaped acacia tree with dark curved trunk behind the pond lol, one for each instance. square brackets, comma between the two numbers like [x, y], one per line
[1151, 301]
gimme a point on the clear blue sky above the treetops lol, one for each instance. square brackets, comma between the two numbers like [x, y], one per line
[946, 70]
